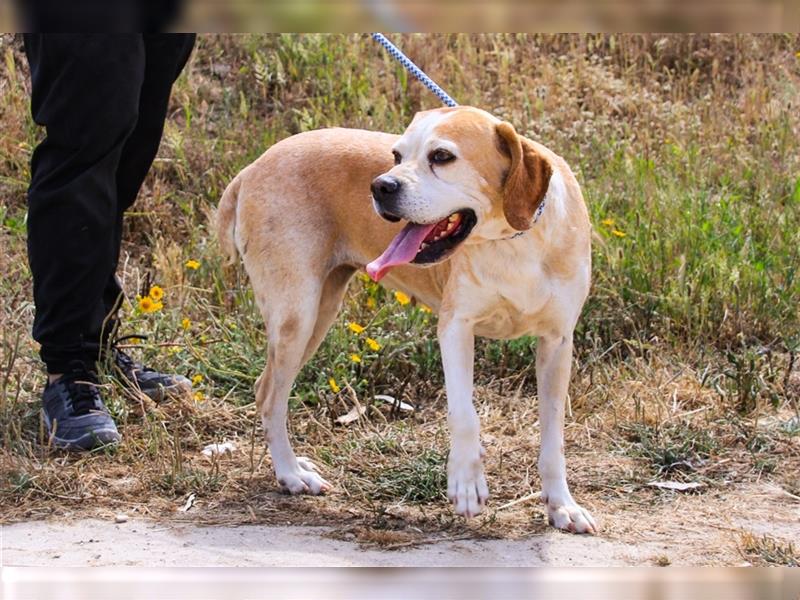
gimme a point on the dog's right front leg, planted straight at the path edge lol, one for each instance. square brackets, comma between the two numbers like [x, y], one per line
[553, 362]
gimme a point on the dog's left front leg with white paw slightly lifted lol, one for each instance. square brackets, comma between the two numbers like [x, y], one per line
[466, 483]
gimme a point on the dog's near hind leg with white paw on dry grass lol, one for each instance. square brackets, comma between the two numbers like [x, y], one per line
[290, 326]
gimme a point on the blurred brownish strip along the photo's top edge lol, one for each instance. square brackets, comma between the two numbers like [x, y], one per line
[415, 15]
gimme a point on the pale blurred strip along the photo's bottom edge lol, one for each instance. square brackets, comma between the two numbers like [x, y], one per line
[421, 584]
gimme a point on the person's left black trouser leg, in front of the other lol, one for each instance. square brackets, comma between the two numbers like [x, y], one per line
[85, 91]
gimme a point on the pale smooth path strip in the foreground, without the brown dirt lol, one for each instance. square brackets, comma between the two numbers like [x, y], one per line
[150, 544]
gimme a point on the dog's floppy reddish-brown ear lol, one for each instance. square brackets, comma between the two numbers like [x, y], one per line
[526, 182]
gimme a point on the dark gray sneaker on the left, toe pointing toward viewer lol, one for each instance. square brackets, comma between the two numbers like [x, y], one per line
[74, 413]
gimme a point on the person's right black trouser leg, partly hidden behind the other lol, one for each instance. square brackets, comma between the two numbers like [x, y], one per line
[165, 57]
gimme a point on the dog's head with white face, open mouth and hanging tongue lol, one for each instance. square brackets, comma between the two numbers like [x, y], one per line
[461, 176]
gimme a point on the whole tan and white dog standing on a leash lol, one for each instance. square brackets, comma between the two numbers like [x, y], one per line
[303, 221]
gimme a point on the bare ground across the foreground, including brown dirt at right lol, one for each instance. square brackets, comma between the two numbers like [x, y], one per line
[687, 530]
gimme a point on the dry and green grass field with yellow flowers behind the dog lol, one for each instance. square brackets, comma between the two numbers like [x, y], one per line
[687, 150]
